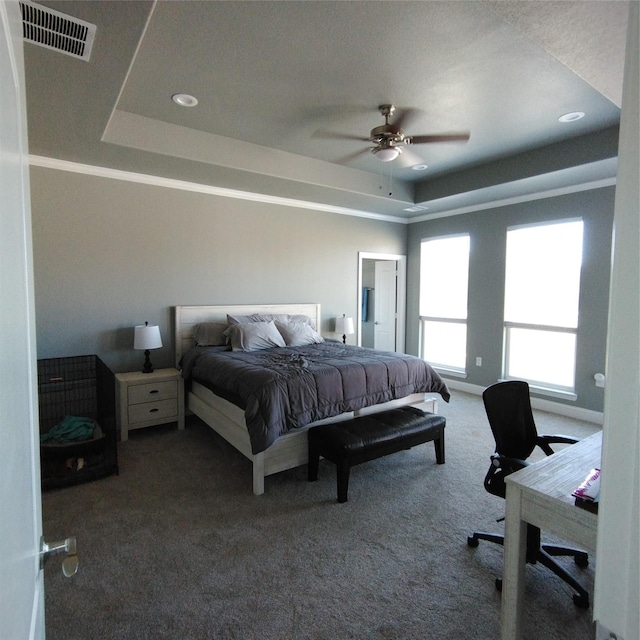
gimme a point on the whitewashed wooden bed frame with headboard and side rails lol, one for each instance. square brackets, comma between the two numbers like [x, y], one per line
[227, 420]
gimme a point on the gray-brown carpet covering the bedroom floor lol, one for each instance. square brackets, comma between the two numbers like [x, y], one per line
[177, 546]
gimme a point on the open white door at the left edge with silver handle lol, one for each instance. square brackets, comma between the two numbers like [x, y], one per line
[21, 582]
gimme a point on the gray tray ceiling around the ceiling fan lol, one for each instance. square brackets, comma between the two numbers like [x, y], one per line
[271, 77]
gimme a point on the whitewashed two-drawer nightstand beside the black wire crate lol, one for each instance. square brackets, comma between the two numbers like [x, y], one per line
[147, 399]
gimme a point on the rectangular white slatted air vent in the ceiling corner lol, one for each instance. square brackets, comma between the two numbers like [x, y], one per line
[58, 31]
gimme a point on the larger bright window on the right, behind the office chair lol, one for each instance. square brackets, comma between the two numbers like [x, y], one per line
[542, 288]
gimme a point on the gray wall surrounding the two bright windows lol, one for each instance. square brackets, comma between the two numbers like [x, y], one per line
[487, 230]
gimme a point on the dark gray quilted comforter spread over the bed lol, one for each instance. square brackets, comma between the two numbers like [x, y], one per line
[288, 387]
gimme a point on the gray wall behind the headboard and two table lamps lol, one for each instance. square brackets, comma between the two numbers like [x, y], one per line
[110, 254]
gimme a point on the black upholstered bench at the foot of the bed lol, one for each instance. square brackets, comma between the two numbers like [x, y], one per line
[372, 436]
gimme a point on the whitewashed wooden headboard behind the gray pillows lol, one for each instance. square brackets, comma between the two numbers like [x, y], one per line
[187, 317]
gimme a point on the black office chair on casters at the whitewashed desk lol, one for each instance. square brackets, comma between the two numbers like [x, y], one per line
[508, 408]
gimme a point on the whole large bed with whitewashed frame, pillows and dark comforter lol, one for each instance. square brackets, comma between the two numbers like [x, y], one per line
[276, 444]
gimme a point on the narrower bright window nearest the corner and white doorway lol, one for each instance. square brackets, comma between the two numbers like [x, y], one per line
[443, 301]
